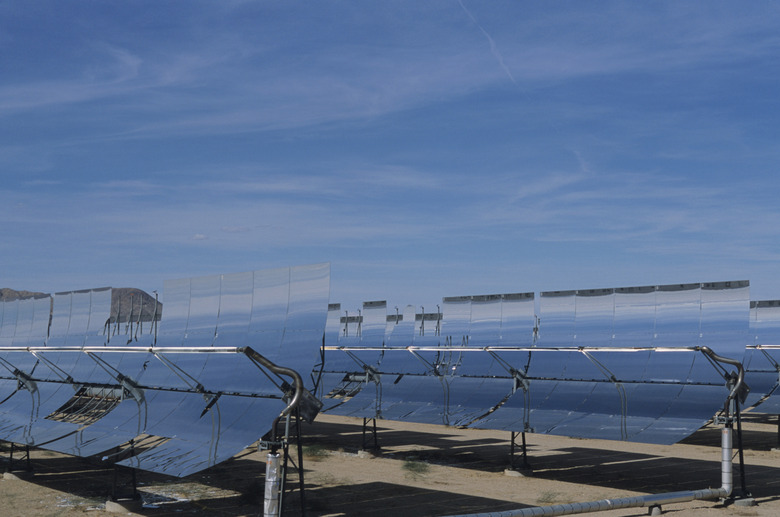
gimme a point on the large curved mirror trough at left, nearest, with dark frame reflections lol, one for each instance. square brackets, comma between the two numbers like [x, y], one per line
[81, 380]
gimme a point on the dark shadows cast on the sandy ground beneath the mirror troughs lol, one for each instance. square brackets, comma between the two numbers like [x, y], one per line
[236, 487]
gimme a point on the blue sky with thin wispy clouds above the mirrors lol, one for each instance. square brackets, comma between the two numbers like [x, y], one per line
[424, 149]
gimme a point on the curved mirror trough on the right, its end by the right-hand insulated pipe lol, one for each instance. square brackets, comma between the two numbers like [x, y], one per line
[607, 363]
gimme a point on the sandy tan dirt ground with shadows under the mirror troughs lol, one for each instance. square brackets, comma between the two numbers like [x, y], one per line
[419, 470]
